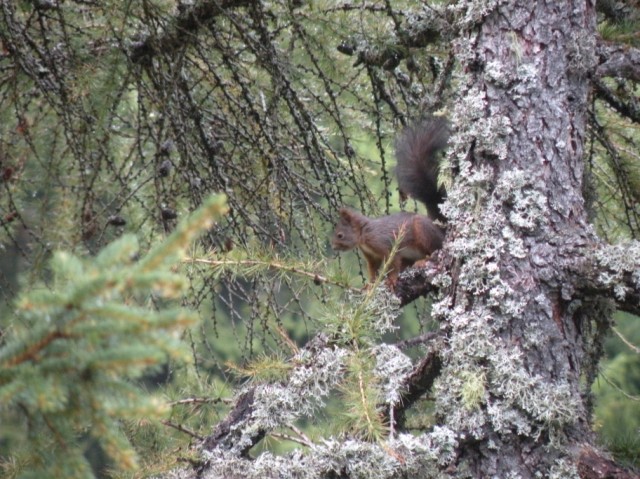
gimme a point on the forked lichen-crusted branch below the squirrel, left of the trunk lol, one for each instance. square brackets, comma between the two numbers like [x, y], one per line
[317, 369]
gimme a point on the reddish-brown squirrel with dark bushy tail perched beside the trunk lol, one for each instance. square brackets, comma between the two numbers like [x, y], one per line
[417, 170]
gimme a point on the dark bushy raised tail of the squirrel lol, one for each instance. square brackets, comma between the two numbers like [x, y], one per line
[417, 150]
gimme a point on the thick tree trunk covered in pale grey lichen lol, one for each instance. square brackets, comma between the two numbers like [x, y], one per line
[522, 338]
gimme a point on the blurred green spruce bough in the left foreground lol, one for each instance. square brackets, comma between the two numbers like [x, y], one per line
[70, 354]
